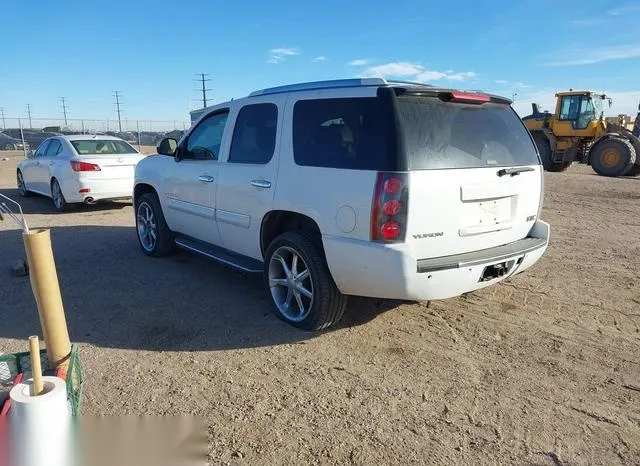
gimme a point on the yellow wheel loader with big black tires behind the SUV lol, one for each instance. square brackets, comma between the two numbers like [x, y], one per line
[578, 132]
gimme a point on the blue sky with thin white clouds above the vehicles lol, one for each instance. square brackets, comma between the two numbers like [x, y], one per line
[151, 50]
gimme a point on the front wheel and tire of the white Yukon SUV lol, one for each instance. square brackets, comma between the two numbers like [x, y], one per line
[153, 234]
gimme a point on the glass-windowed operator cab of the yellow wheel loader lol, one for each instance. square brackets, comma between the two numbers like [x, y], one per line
[578, 113]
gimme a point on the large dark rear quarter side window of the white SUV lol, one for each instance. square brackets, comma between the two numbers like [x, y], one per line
[347, 133]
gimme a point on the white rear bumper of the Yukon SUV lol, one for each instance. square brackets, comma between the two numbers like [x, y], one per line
[364, 268]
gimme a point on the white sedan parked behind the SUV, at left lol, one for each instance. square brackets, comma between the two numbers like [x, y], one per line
[79, 169]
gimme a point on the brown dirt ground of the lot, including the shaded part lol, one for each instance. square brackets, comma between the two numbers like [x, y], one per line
[538, 370]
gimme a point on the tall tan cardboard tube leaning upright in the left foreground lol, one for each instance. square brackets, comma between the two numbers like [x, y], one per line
[44, 283]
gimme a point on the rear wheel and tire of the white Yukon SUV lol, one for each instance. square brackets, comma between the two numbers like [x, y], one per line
[297, 279]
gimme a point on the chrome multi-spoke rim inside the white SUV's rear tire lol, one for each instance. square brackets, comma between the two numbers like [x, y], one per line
[290, 284]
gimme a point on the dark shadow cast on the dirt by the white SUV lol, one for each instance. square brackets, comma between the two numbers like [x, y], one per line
[115, 296]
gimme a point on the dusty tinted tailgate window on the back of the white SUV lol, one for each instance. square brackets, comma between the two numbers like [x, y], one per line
[441, 135]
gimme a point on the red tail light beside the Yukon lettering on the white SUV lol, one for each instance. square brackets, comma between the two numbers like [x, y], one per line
[389, 208]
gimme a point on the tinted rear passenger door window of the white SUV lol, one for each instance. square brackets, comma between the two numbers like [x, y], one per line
[254, 137]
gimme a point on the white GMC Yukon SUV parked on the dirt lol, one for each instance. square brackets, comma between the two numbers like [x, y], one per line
[350, 187]
